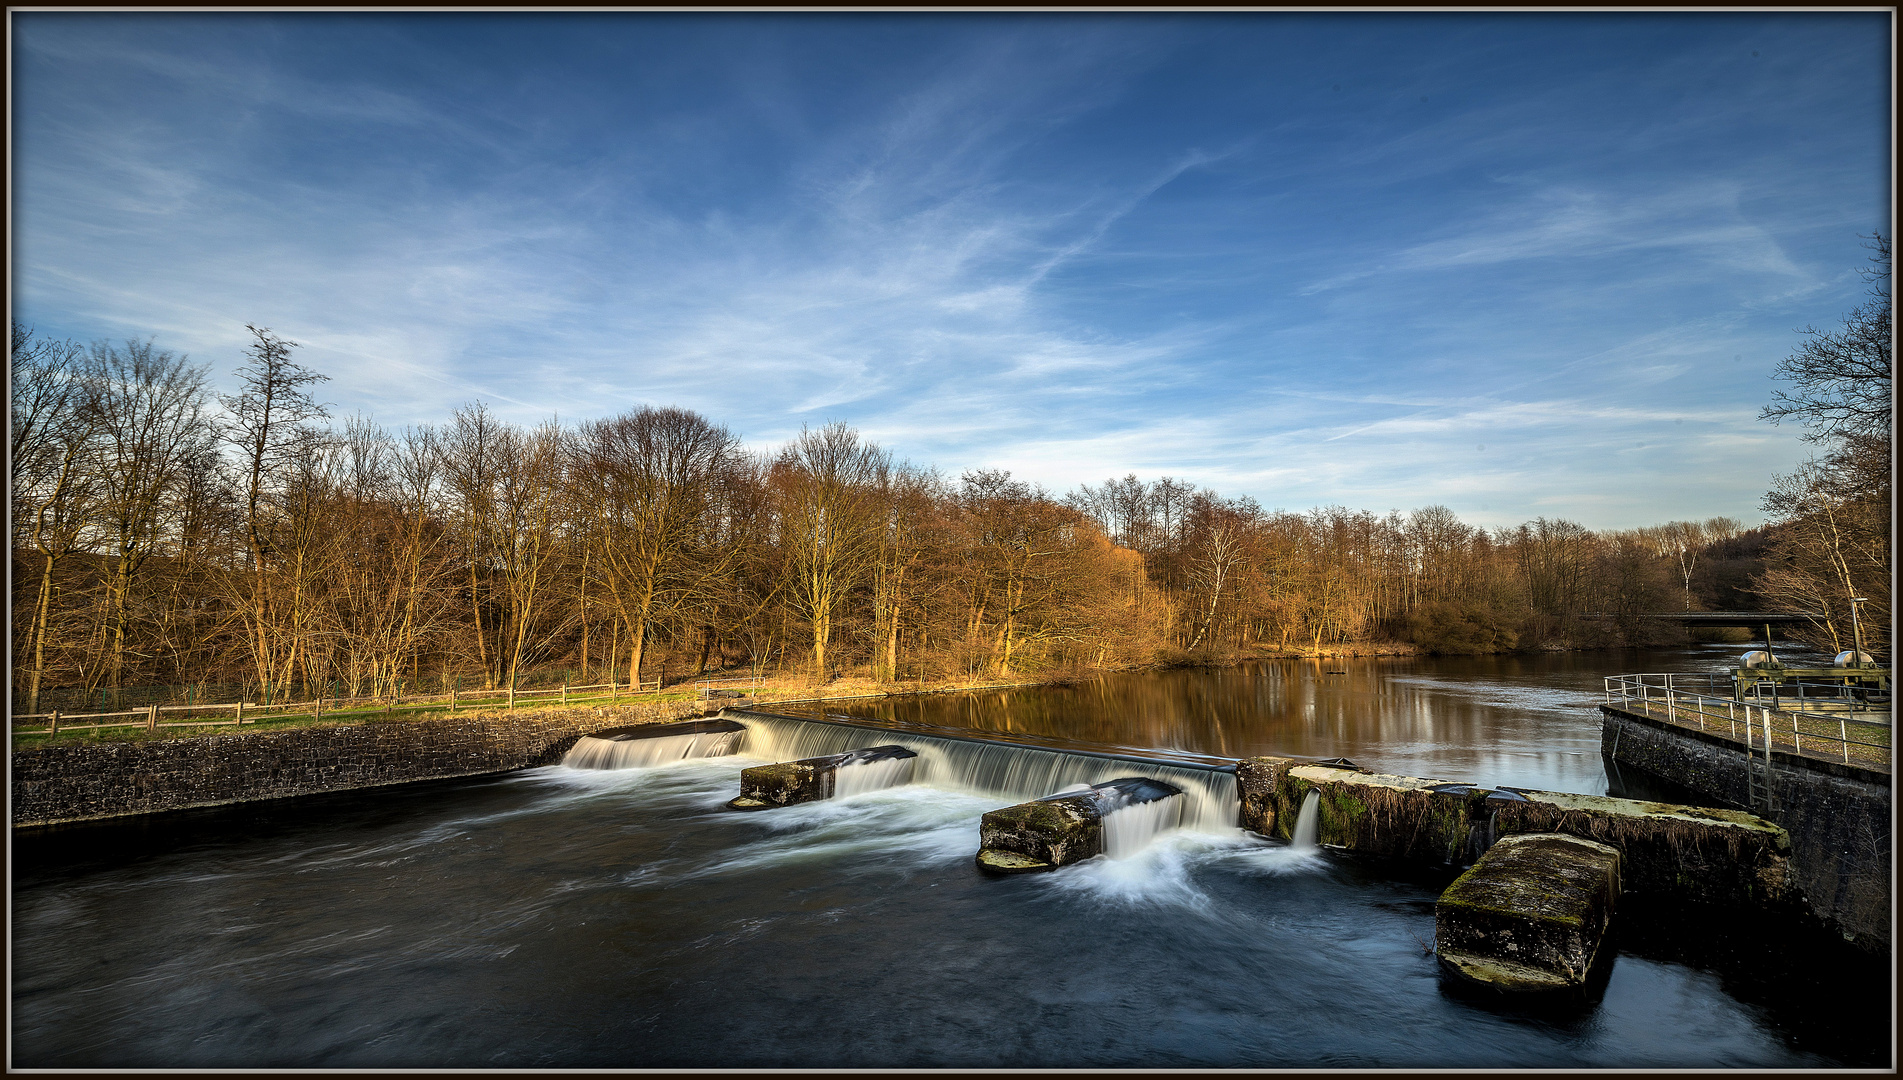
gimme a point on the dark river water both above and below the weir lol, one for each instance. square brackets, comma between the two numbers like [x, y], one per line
[564, 917]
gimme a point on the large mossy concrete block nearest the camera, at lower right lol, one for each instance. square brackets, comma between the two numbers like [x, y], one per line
[1531, 914]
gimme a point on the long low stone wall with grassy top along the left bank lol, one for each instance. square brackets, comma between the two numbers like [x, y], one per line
[81, 782]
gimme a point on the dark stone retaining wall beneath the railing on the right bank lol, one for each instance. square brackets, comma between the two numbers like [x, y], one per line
[1837, 815]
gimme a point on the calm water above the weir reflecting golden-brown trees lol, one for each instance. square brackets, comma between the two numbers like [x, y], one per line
[1525, 722]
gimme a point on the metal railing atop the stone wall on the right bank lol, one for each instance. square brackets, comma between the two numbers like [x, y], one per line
[1685, 699]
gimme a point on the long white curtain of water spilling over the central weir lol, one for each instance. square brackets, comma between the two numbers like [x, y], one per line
[1010, 773]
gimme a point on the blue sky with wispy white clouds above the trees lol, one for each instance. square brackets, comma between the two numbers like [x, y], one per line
[1518, 265]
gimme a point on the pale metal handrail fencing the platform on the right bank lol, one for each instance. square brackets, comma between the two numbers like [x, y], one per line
[1765, 727]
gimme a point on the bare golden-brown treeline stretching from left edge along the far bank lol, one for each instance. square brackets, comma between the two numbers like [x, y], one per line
[170, 535]
